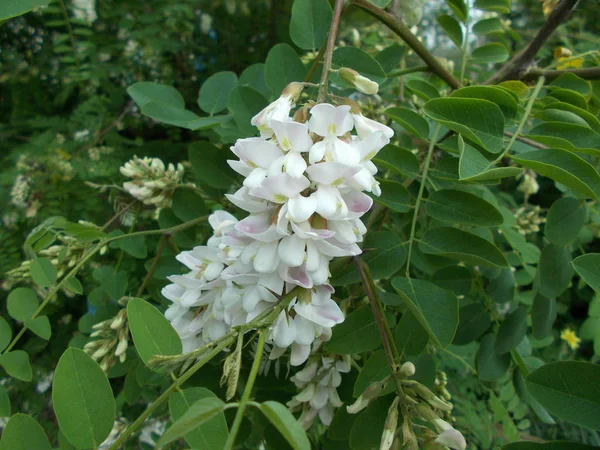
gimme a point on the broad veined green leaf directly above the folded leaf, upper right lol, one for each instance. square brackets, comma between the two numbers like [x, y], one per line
[480, 121]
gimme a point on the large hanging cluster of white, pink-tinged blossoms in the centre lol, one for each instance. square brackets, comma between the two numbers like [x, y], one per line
[303, 192]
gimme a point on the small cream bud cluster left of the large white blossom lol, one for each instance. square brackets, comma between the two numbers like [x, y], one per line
[152, 182]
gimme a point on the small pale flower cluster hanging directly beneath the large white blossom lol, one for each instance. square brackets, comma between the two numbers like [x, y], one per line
[318, 383]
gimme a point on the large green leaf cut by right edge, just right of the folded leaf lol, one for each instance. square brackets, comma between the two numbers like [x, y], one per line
[564, 167]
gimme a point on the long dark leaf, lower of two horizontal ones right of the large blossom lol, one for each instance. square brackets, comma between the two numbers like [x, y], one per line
[457, 244]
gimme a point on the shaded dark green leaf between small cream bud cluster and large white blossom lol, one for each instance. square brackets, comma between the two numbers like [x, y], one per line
[210, 165]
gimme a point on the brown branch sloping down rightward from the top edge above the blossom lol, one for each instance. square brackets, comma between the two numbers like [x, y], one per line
[410, 39]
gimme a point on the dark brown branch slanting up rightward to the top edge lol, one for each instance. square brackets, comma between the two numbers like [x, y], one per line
[520, 63]
